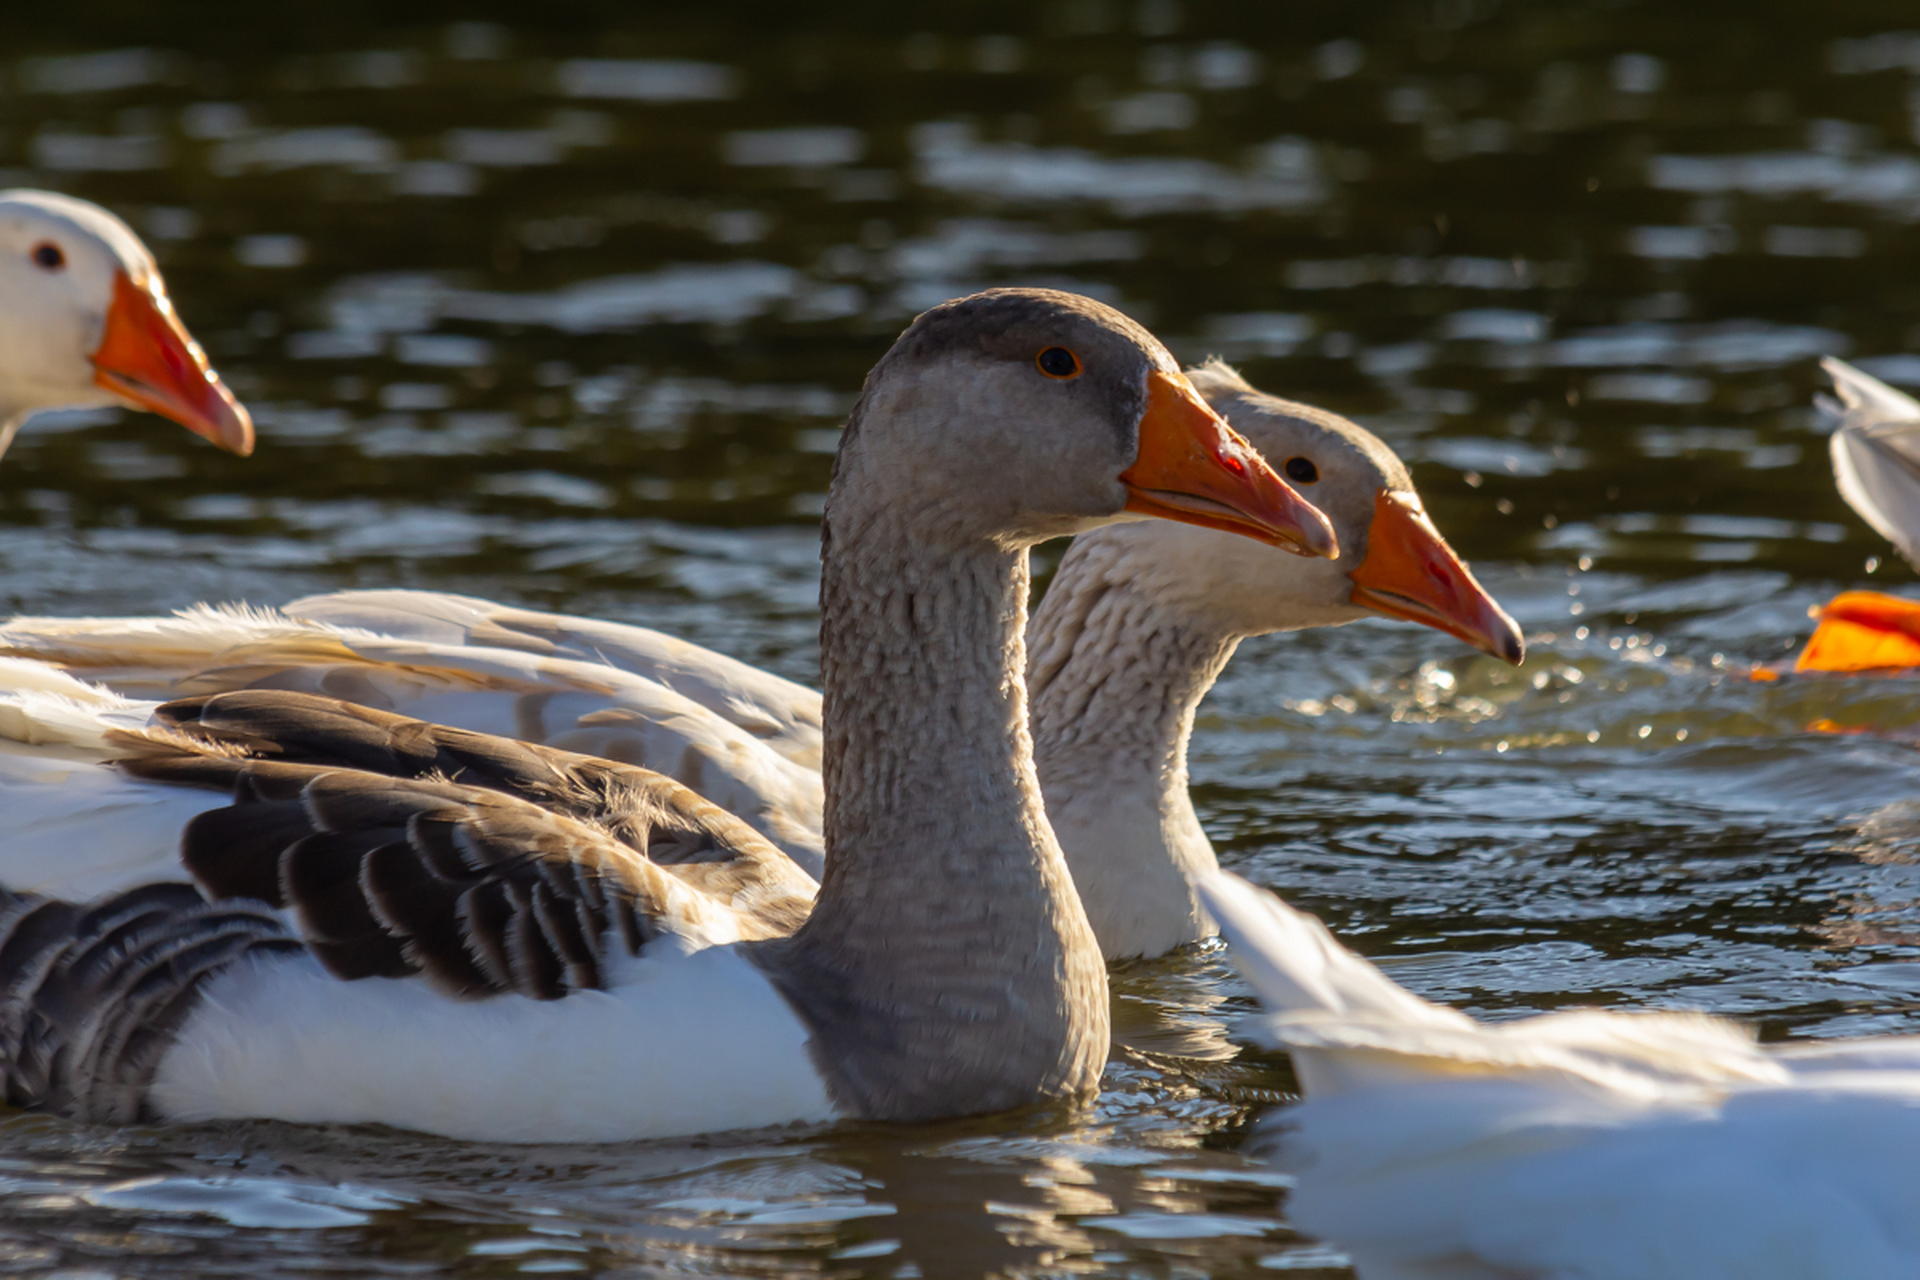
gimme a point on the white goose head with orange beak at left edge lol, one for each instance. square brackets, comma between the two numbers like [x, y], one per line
[85, 321]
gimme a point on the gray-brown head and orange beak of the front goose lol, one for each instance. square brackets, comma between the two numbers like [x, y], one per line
[1020, 415]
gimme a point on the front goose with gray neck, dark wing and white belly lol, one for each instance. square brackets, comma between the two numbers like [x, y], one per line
[437, 930]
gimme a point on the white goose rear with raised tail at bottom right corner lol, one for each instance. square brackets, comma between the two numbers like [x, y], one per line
[1573, 1147]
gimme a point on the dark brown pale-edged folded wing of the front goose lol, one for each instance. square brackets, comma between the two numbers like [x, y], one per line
[485, 865]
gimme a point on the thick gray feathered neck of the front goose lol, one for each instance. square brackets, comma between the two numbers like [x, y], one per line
[948, 966]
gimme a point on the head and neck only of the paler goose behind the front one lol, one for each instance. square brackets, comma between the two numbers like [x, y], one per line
[1138, 627]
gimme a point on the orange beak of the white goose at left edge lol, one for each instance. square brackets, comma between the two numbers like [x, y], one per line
[151, 360]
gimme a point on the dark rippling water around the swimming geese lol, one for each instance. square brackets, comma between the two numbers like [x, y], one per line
[569, 312]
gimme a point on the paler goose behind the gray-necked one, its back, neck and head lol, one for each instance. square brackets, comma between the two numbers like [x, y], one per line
[1136, 628]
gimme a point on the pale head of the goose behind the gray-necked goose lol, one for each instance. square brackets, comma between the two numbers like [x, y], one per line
[1393, 559]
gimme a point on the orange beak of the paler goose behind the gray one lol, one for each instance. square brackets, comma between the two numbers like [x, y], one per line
[1410, 573]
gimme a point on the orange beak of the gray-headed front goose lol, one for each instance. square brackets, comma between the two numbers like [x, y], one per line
[1199, 471]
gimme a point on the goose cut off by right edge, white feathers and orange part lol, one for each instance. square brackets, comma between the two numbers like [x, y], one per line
[1877, 467]
